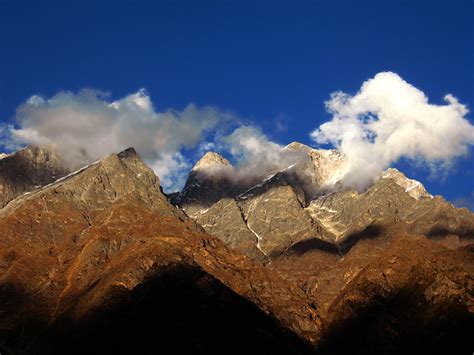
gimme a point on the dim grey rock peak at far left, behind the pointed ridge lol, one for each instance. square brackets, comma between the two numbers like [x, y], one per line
[27, 169]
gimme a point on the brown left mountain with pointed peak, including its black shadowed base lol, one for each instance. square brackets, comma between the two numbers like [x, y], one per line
[101, 262]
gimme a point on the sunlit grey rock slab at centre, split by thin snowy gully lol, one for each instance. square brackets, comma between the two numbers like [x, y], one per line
[258, 225]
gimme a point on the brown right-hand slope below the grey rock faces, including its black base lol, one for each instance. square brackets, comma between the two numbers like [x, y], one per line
[392, 292]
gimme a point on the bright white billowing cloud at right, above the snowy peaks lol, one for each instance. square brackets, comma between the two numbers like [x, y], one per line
[389, 119]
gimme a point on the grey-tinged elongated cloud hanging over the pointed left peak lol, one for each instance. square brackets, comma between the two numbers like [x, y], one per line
[86, 126]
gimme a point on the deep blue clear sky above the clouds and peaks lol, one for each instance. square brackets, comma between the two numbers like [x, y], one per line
[261, 59]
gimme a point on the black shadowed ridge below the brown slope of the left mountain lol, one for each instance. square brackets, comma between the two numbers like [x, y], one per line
[179, 310]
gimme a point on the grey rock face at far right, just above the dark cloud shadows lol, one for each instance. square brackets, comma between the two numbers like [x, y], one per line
[387, 202]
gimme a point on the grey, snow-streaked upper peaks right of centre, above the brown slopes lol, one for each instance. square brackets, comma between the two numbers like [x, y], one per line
[305, 201]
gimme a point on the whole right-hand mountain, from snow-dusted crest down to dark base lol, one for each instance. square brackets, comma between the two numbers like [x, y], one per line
[388, 269]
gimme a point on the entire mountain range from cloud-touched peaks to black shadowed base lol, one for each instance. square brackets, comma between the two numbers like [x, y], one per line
[101, 260]
